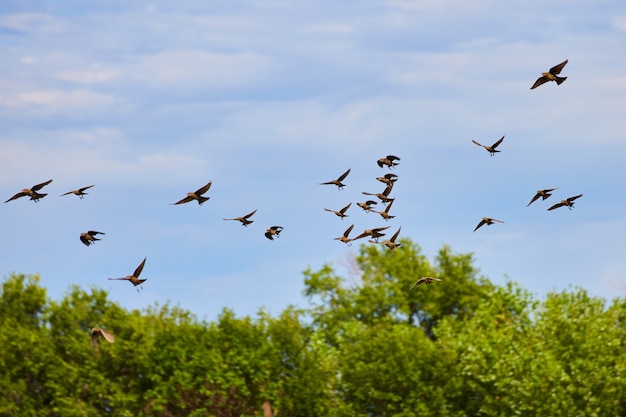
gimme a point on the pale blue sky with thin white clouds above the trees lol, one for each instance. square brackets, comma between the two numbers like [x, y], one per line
[149, 100]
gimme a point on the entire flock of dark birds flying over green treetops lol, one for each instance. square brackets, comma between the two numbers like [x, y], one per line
[390, 161]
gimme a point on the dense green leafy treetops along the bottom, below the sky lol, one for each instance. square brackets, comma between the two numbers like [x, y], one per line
[365, 346]
